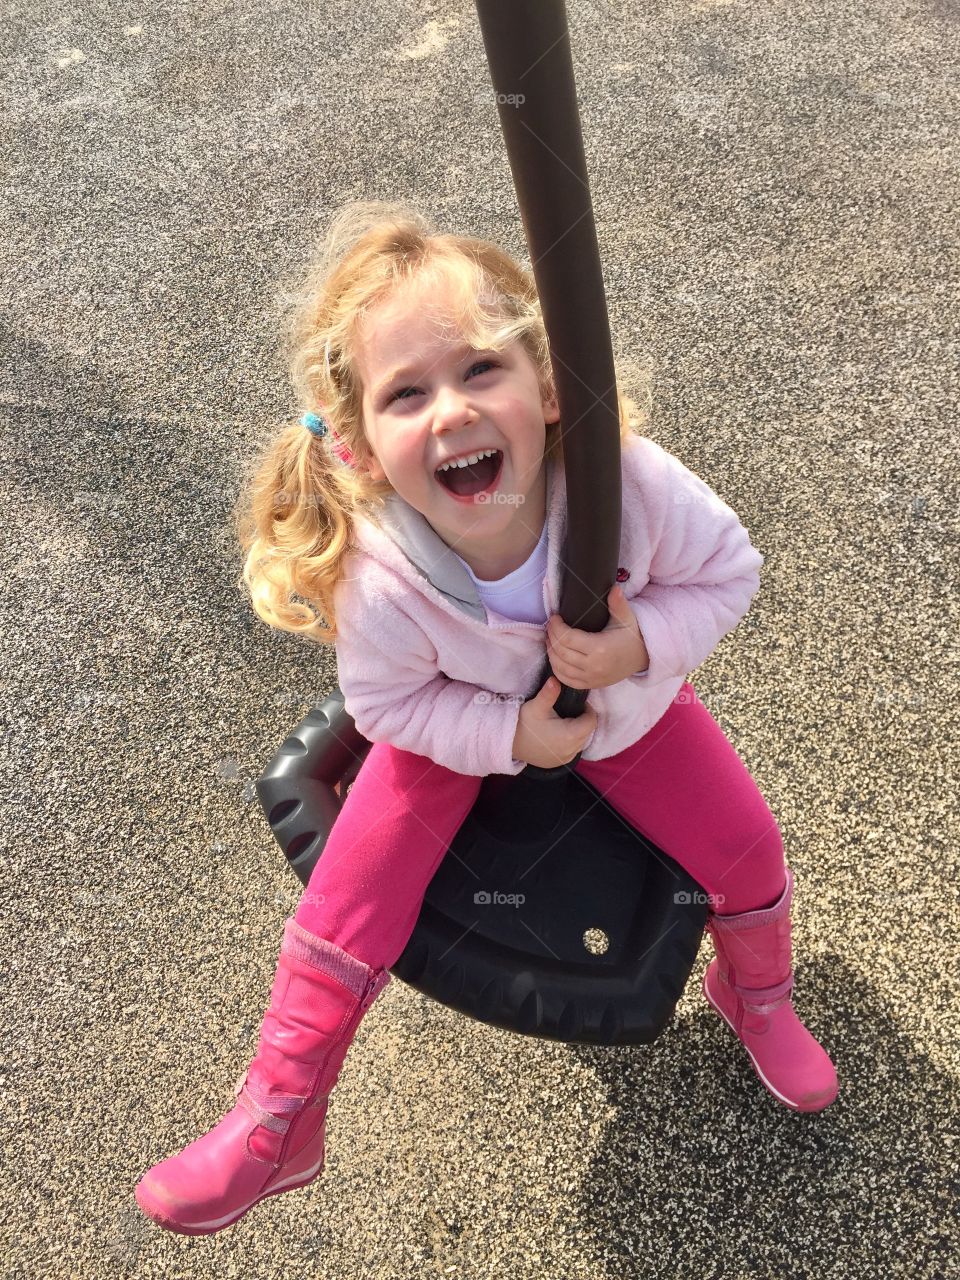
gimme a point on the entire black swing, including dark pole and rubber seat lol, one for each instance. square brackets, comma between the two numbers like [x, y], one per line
[605, 948]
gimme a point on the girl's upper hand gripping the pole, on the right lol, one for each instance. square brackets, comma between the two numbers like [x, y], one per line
[593, 660]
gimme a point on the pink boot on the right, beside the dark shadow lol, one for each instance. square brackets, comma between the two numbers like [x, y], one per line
[749, 984]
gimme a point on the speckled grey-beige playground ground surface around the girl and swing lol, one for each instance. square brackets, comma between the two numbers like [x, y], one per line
[776, 194]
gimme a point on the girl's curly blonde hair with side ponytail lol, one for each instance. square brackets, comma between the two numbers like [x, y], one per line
[298, 505]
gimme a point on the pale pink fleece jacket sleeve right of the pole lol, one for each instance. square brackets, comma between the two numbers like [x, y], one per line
[705, 570]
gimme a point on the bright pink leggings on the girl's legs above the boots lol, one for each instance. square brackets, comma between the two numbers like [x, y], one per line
[682, 785]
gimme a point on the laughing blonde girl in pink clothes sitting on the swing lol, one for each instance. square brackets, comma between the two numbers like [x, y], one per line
[420, 506]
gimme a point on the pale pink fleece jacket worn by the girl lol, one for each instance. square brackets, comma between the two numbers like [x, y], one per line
[426, 666]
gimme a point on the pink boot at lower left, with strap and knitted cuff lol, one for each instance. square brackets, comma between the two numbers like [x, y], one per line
[273, 1140]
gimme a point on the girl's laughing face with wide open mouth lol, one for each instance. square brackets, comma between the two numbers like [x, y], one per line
[429, 400]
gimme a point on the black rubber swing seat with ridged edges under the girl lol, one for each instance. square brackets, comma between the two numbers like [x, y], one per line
[586, 934]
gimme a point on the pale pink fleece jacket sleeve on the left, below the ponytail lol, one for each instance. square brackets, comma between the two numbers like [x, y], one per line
[395, 692]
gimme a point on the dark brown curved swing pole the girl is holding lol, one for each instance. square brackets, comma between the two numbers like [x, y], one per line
[532, 71]
